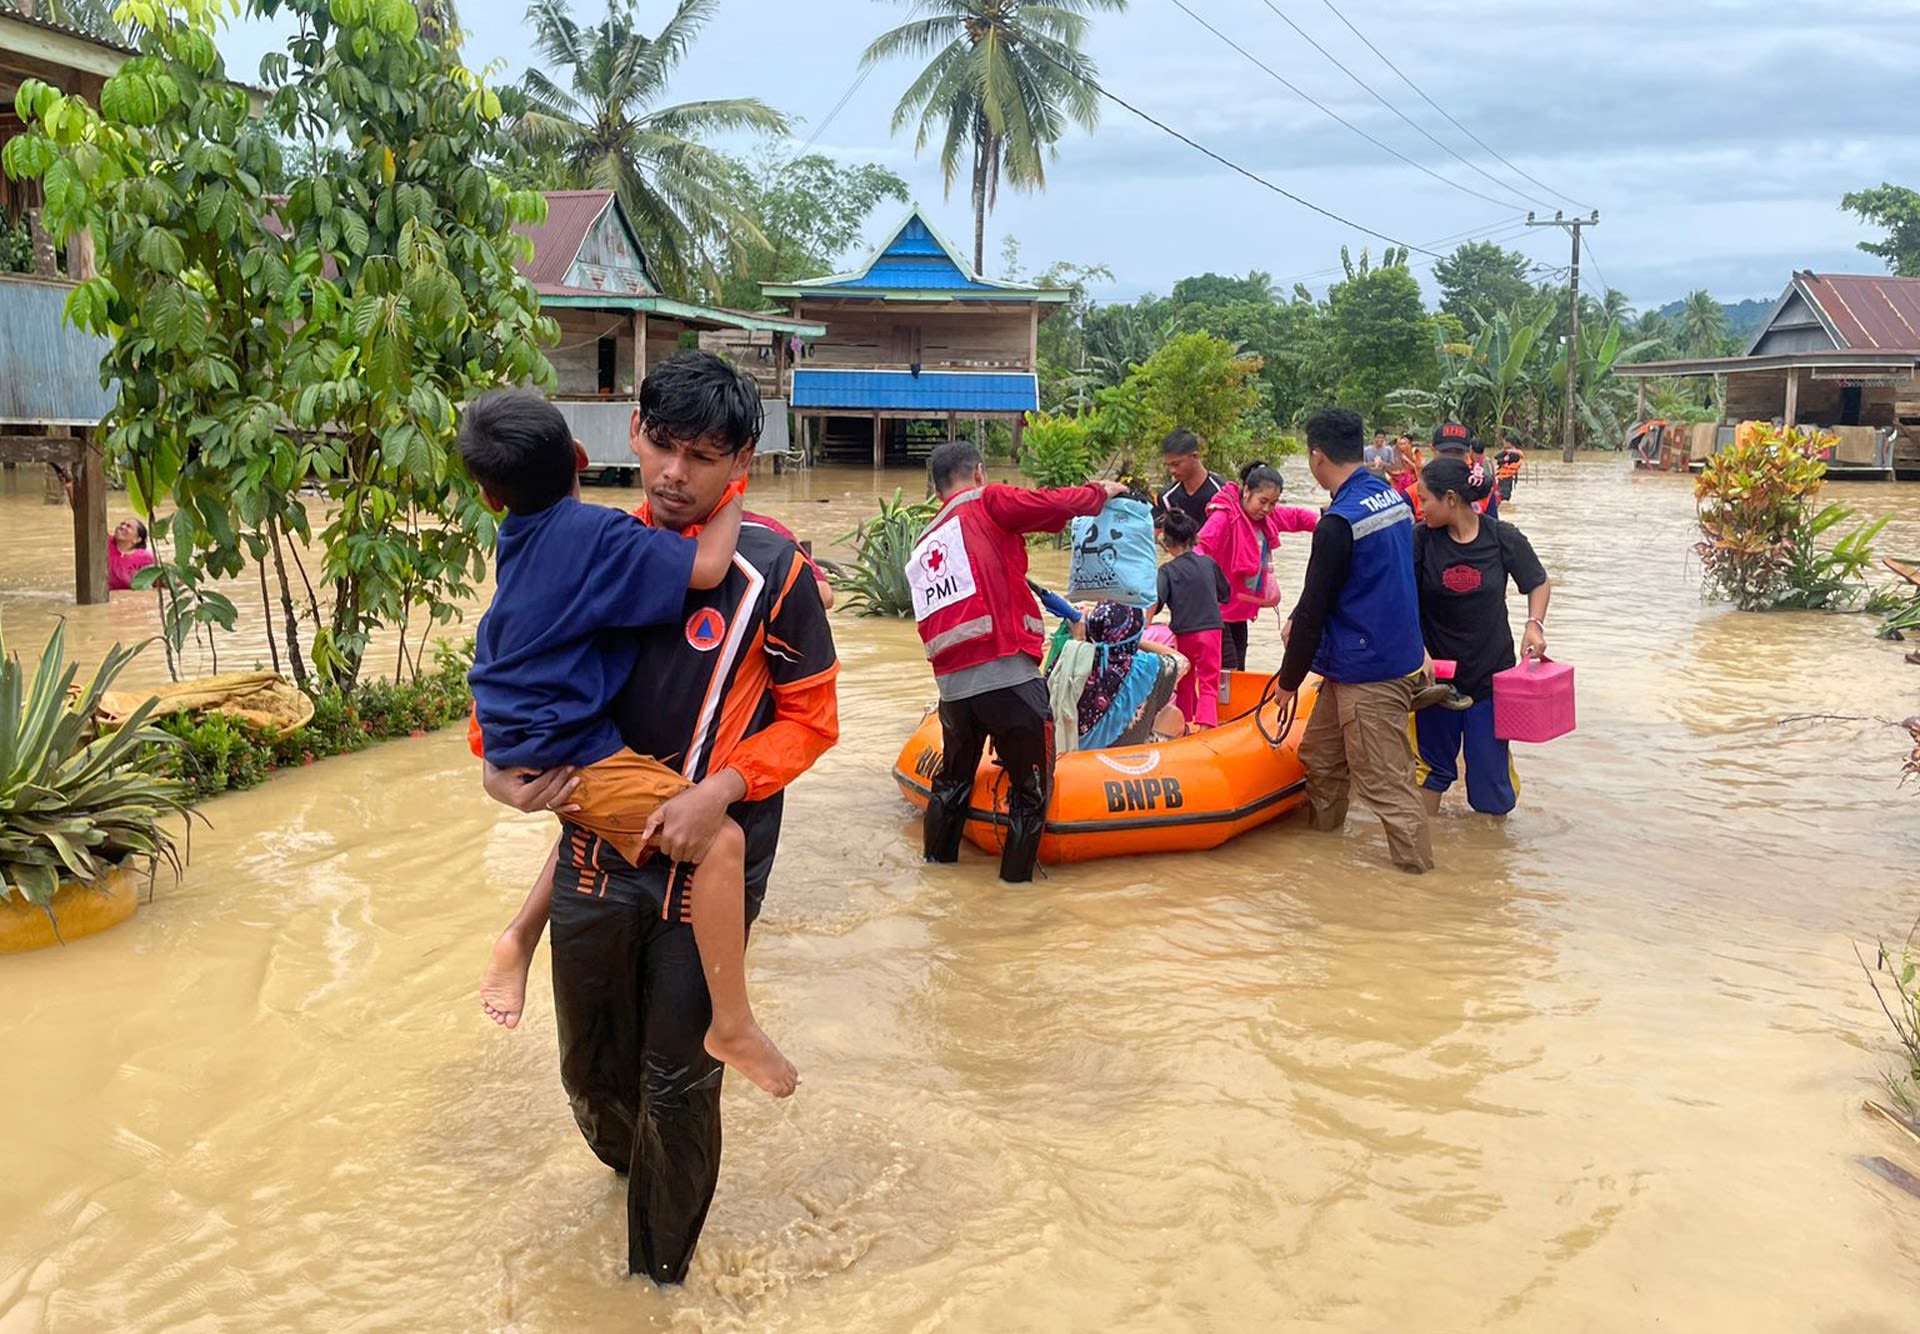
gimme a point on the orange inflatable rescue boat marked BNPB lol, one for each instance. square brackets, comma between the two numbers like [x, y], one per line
[1182, 796]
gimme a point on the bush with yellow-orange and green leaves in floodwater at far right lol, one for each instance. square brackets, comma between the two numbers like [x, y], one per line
[1760, 533]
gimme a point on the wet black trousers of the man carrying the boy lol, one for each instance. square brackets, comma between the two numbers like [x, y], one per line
[633, 1012]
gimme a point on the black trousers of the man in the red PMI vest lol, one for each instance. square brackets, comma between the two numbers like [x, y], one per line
[1020, 723]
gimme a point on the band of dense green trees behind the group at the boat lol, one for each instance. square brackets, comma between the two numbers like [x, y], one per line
[1370, 345]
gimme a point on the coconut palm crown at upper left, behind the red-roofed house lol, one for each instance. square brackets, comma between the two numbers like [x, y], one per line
[610, 131]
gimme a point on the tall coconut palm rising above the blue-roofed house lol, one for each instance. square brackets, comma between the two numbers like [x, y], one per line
[1005, 82]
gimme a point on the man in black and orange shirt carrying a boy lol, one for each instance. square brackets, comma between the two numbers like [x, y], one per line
[742, 696]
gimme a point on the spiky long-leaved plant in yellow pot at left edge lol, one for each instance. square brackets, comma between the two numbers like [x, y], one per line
[78, 801]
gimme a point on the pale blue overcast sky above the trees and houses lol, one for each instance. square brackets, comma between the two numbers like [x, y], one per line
[1716, 137]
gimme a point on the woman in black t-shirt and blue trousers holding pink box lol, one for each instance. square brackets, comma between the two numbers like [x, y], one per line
[1464, 561]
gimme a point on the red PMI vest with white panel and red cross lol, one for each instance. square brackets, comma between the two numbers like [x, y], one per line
[969, 604]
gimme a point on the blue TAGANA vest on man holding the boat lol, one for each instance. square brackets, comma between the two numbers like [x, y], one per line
[1374, 632]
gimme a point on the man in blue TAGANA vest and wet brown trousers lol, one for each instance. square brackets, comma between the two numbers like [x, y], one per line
[1358, 625]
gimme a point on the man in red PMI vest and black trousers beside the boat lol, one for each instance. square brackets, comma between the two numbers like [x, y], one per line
[982, 631]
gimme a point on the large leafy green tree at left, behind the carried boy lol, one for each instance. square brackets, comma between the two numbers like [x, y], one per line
[276, 329]
